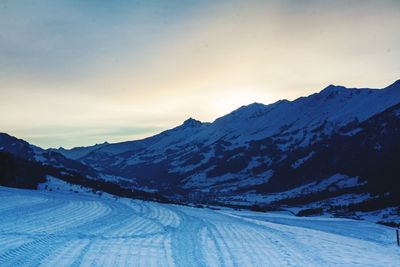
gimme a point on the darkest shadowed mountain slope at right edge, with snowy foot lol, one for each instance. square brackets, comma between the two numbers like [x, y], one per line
[347, 175]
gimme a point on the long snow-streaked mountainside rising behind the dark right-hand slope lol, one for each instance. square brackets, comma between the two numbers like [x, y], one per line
[243, 145]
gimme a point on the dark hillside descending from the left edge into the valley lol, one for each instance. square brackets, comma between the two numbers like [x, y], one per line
[23, 165]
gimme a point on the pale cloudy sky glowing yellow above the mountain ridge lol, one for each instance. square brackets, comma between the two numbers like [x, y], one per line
[81, 72]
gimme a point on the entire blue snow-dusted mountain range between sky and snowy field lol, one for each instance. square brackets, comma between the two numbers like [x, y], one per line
[334, 151]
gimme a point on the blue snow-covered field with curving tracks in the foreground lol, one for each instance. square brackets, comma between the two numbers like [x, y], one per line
[79, 229]
